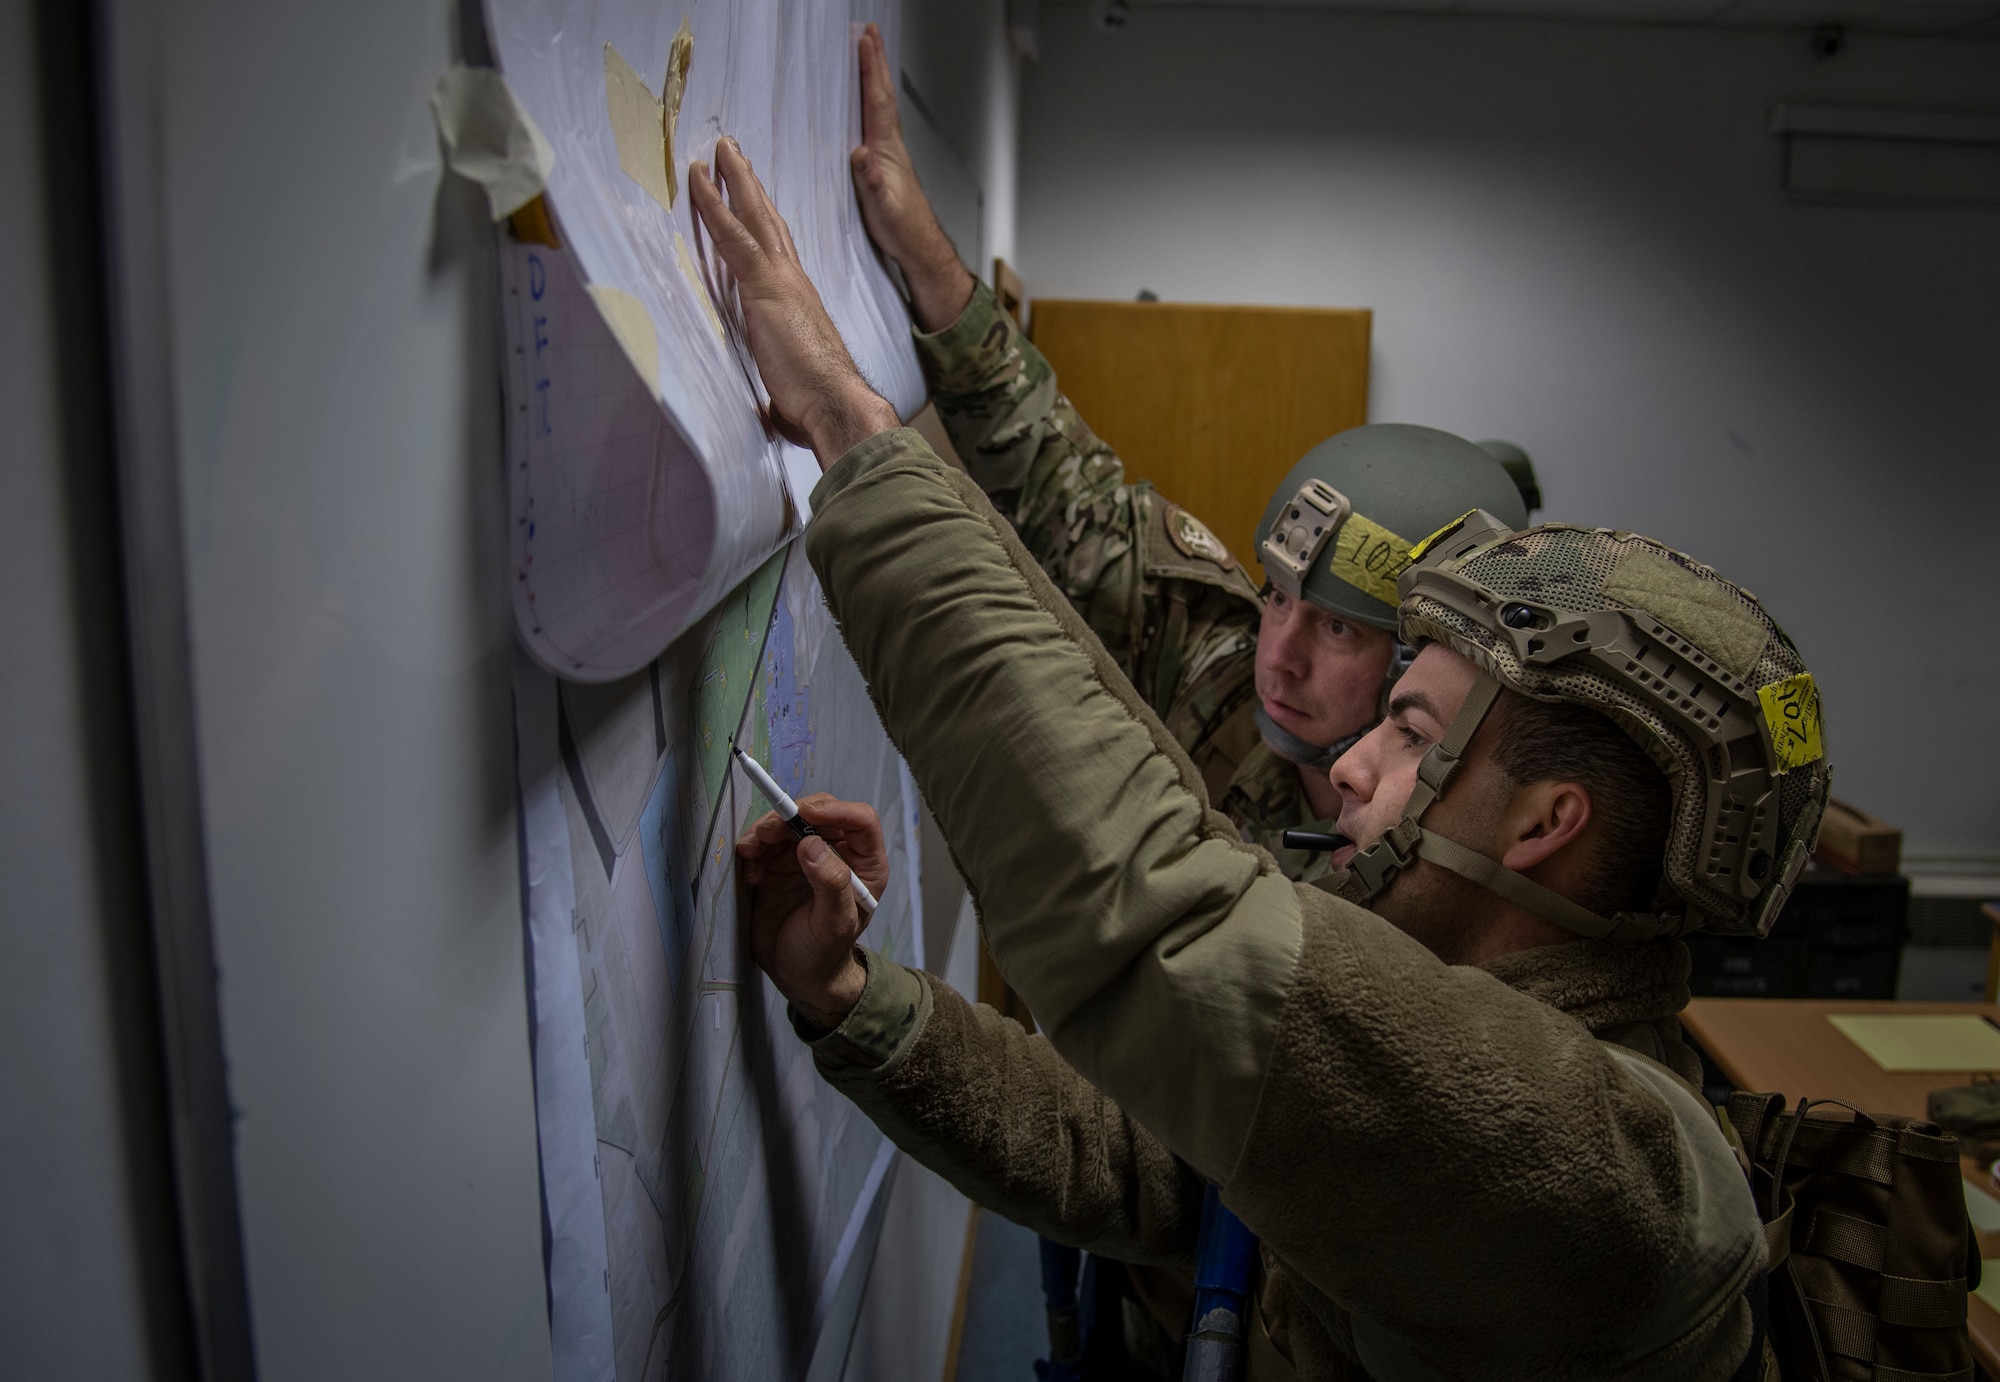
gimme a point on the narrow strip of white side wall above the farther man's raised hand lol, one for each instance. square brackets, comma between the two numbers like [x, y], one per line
[957, 55]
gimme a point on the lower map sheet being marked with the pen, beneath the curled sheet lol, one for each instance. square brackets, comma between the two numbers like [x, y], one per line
[713, 1207]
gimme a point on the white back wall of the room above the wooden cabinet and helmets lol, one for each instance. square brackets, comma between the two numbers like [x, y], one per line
[1573, 237]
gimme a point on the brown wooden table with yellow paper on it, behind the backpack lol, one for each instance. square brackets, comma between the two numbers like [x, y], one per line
[1789, 1047]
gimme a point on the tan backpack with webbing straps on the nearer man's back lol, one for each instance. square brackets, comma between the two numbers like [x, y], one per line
[1871, 1251]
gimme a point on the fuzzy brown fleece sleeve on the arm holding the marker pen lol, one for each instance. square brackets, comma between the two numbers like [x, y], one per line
[999, 1115]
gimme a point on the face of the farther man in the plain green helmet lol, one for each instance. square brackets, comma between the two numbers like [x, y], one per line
[1317, 673]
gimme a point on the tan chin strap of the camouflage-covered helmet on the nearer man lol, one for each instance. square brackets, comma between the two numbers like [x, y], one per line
[1375, 869]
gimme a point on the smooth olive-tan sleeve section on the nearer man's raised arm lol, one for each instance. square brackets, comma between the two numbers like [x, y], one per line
[1149, 941]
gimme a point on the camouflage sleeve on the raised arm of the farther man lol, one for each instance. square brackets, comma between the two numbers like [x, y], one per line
[1047, 473]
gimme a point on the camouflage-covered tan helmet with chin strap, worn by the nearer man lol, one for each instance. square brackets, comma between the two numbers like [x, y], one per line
[1685, 663]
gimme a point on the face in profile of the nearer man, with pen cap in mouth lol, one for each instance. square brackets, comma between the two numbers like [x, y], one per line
[1377, 777]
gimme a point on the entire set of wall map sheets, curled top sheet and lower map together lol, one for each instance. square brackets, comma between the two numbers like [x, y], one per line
[711, 1205]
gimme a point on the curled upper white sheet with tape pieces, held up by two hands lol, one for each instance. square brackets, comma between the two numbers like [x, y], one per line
[643, 479]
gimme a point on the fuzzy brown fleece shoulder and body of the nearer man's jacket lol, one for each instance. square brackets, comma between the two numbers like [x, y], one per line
[1427, 1129]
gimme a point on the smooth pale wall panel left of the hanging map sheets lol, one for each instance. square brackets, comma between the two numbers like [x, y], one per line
[339, 417]
